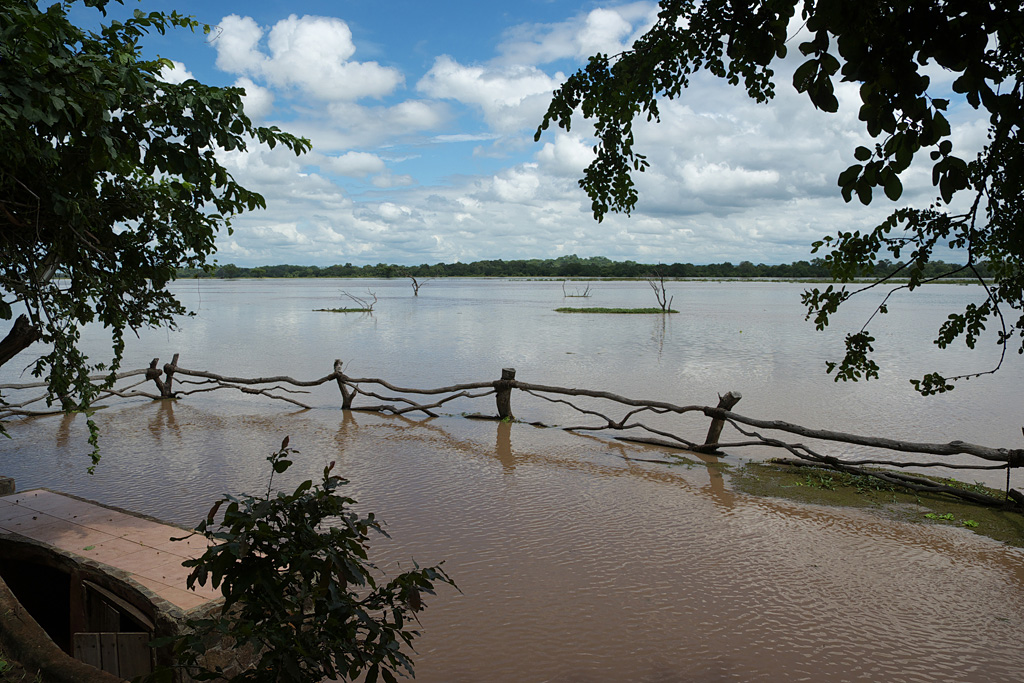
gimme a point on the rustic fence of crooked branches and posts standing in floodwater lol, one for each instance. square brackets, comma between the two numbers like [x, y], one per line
[408, 400]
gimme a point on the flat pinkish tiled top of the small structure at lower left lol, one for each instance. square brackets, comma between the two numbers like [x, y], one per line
[141, 547]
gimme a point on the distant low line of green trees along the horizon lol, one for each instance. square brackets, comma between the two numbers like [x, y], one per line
[564, 267]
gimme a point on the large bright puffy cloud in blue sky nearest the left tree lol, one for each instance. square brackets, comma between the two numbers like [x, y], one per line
[311, 54]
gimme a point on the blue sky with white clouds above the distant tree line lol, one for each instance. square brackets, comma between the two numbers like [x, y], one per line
[422, 119]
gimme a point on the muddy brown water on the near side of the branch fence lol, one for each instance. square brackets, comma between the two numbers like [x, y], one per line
[576, 565]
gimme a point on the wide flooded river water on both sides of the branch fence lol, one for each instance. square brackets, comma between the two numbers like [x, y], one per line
[576, 562]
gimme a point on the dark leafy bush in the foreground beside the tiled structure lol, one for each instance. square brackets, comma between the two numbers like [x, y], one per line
[300, 589]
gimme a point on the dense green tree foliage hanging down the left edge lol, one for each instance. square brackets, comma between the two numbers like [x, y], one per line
[110, 182]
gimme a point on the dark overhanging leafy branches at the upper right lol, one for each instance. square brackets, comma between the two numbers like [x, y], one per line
[885, 47]
